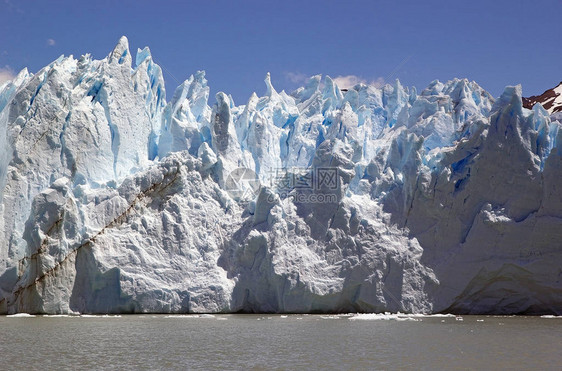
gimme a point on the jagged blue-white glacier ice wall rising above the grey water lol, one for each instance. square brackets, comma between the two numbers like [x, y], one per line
[114, 200]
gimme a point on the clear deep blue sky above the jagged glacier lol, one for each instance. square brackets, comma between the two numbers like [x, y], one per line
[495, 43]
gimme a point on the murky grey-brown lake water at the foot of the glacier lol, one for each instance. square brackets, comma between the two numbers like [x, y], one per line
[263, 342]
